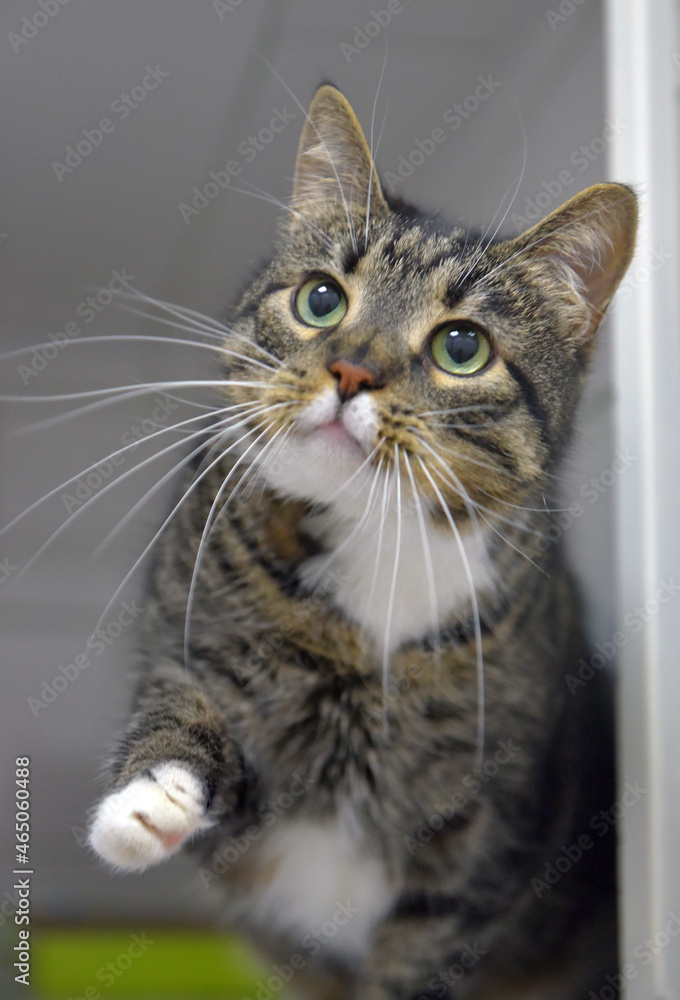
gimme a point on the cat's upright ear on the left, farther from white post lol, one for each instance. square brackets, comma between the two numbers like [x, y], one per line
[334, 162]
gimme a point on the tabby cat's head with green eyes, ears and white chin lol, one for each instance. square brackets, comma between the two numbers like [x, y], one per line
[381, 338]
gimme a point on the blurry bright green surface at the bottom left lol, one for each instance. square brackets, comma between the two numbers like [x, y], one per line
[150, 963]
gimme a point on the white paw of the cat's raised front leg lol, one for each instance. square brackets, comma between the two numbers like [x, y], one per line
[149, 820]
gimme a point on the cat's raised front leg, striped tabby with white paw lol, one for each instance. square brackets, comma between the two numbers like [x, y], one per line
[173, 773]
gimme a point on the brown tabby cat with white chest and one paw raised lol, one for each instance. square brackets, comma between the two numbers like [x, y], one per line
[356, 640]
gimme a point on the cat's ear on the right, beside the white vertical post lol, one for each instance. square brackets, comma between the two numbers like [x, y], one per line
[590, 241]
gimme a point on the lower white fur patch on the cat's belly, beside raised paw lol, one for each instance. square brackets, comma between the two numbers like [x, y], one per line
[321, 889]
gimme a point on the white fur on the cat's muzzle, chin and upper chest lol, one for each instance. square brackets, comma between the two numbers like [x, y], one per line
[430, 584]
